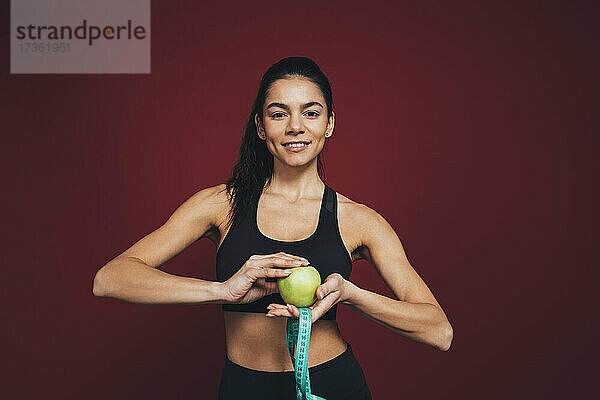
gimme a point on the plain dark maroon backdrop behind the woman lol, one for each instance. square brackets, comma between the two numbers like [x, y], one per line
[469, 127]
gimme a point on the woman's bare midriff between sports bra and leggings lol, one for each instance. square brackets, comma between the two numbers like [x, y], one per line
[258, 342]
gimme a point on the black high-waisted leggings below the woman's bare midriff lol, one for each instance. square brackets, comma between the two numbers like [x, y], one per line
[340, 378]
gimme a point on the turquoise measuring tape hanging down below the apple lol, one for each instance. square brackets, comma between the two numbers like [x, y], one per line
[299, 336]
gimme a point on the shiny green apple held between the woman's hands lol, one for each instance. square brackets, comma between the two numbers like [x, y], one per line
[299, 288]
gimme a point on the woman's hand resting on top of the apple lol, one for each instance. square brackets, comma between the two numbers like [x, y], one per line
[249, 283]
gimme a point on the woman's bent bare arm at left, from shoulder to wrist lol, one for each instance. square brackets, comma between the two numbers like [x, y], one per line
[134, 276]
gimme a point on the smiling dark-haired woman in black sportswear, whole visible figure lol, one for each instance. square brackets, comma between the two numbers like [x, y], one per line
[275, 212]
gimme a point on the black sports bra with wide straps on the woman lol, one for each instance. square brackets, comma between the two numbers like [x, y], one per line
[324, 249]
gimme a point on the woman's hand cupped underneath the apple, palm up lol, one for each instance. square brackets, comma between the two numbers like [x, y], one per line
[334, 290]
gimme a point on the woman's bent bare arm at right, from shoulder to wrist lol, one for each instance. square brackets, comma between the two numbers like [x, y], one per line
[416, 315]
